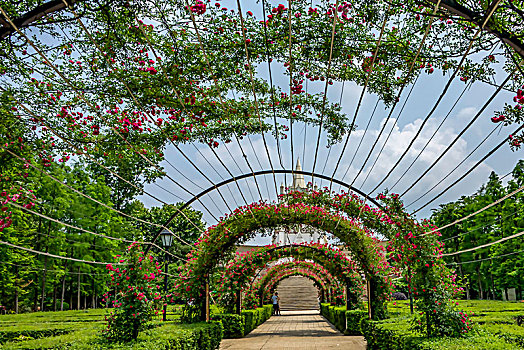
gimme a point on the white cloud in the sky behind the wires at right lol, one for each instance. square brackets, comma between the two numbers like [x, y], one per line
[396, 145]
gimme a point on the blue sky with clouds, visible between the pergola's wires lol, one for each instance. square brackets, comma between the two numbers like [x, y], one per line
[424, 96]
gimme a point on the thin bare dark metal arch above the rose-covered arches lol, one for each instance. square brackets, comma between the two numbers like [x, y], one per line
[258, 173]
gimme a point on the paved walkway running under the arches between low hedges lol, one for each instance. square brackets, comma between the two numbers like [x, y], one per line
[305, 330]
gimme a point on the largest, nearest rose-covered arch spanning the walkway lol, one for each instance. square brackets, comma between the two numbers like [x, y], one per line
[245, 222]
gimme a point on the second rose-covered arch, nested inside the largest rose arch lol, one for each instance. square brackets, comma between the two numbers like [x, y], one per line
[246, 267]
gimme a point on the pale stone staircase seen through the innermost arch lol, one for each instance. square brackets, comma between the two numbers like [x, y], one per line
[297, 293]
